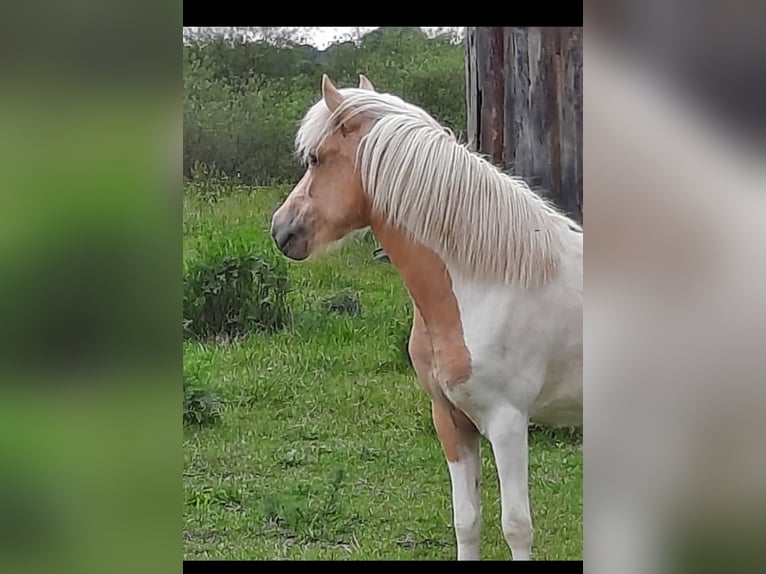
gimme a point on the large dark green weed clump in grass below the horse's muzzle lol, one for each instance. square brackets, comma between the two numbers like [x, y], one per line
[232, 293]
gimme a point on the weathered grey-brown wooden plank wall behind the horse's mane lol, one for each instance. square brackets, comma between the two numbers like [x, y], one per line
[524, 98]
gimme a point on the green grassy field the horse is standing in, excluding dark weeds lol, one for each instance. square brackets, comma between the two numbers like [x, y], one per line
[325, 447]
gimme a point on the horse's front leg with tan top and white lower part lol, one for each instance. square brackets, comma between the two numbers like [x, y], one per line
[460, 441]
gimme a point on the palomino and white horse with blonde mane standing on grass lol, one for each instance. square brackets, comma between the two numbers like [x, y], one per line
[494, 273]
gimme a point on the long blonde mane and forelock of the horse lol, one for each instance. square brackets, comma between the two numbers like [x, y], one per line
[419, 178]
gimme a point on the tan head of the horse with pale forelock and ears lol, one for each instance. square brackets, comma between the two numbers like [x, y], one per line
[329, 201]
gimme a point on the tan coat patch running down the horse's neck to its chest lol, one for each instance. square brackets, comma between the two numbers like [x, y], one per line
[430, 286]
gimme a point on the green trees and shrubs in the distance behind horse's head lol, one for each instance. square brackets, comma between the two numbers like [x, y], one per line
[243, 99]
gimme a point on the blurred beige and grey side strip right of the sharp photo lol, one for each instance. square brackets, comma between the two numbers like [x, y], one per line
[675, 323]
